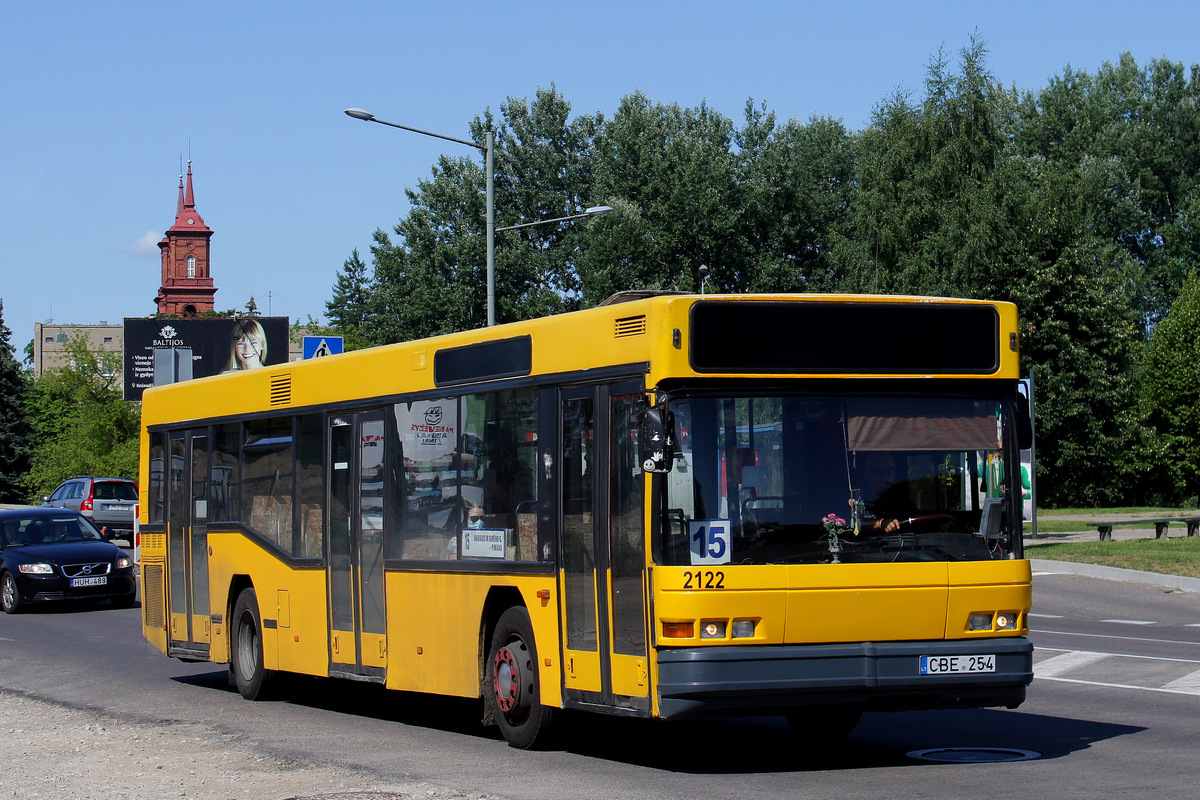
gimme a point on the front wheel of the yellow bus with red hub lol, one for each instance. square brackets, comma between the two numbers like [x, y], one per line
[514, 685]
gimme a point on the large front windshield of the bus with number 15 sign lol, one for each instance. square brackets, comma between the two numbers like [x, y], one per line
[820, 480]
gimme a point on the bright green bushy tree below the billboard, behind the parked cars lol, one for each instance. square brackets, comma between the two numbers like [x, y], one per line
[81, 423]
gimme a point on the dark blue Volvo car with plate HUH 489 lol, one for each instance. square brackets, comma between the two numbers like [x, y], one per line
[59, 555]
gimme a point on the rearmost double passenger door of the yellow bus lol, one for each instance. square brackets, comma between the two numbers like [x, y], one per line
[188, 526]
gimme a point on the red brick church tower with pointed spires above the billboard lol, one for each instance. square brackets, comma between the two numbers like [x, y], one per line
[187, 287]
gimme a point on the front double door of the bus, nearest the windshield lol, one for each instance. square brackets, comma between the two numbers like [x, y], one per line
[603, 548]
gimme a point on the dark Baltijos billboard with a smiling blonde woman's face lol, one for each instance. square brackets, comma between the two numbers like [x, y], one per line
[163, 351]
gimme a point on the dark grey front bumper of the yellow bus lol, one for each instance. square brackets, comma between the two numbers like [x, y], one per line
[746, 681]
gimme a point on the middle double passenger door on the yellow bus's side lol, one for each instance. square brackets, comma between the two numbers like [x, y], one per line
[358, 641]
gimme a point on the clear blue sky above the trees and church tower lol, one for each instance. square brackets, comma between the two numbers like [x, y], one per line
[101, 100]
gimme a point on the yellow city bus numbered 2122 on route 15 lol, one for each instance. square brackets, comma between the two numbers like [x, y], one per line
[669, 507]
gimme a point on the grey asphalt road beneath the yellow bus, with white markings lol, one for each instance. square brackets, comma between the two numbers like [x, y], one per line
[1112, 715]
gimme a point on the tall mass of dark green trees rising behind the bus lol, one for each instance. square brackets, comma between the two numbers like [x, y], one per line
[1079, 202]
